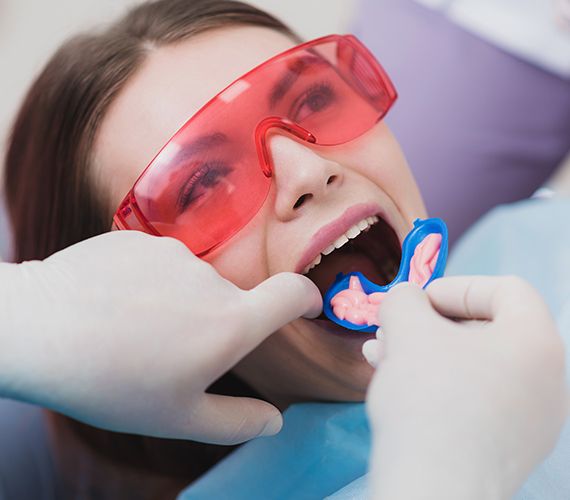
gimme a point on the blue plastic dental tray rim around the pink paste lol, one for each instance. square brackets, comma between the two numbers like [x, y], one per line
[422, 228]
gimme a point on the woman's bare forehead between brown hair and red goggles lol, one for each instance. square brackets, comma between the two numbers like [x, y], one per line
[173, 83]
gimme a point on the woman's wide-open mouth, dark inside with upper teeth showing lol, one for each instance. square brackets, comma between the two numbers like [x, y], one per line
[371, 247]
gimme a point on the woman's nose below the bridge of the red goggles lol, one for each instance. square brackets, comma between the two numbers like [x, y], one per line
[302, 177]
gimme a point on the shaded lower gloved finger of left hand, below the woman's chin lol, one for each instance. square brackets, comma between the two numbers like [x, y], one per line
[230, 420]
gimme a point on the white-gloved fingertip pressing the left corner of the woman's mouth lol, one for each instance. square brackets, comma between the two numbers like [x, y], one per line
[278, 301]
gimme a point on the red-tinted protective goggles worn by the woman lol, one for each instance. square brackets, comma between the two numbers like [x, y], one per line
[213, 176]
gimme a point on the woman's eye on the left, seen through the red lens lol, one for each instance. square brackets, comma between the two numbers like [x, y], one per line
[202, 183]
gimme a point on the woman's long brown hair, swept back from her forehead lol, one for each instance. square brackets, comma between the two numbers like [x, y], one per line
[52, 204]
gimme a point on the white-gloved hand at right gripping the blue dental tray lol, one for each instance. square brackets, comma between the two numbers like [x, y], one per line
[467, 409]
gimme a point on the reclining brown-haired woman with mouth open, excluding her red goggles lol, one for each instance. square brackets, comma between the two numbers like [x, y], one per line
[99, 112]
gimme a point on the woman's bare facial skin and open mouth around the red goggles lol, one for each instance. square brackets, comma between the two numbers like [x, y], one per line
[316, 192]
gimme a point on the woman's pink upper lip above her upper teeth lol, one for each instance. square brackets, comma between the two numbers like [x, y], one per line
[329, 233]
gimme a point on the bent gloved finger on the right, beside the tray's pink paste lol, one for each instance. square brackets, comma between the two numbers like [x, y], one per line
[477, 297]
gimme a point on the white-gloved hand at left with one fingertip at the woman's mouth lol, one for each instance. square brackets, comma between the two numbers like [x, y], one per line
[126, 331]
